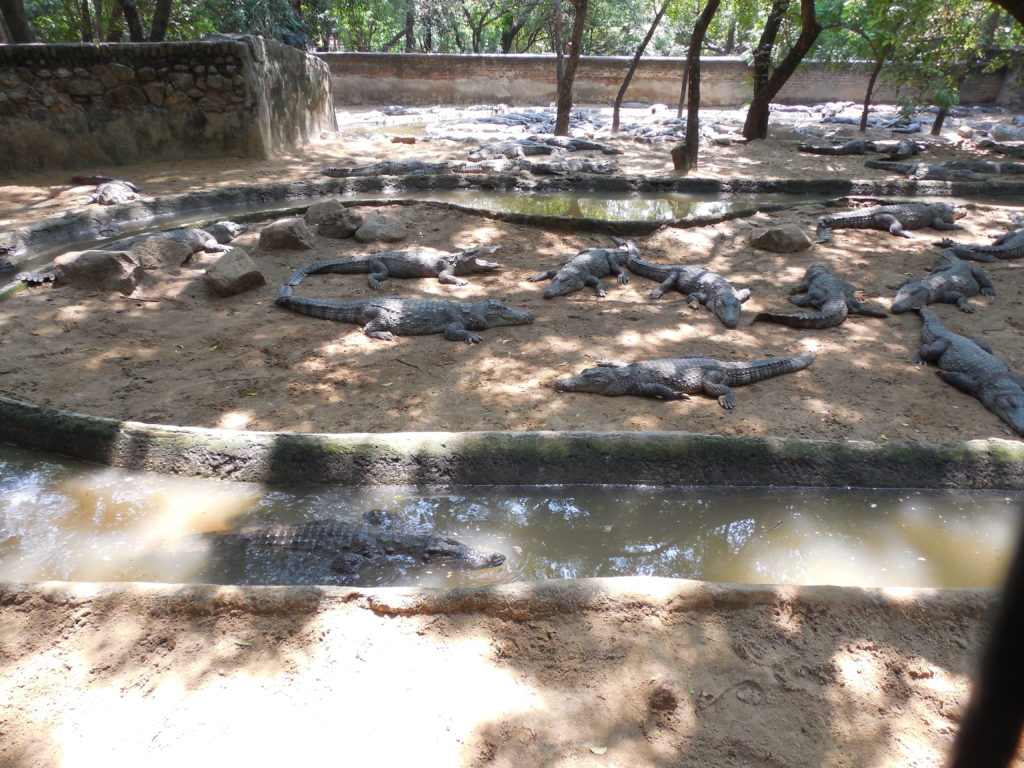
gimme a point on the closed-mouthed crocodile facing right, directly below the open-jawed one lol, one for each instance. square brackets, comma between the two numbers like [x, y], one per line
[391, 316]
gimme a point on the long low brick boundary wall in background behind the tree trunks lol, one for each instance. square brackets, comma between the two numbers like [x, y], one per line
[523, 79]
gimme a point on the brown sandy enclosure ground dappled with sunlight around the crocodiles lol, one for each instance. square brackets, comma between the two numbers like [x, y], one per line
[623, 673]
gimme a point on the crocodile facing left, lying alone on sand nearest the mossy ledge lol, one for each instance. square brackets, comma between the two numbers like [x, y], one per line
[677, 378]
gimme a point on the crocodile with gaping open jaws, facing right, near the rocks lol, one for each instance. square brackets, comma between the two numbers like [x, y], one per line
[380, 267]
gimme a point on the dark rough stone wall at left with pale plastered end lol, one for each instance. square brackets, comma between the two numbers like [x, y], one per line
[82, 106]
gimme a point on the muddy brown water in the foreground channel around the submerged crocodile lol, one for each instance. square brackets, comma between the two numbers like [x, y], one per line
[61, 521]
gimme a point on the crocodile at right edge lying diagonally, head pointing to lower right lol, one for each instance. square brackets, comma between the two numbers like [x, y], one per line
[972, 367]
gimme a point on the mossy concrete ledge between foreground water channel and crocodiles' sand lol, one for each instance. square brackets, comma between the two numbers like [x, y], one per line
[510, 458]
